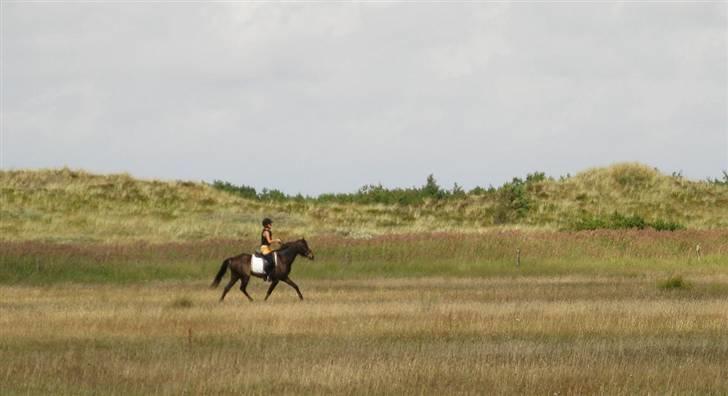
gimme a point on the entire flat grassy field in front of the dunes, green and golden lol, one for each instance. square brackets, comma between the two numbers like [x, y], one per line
[615, 312]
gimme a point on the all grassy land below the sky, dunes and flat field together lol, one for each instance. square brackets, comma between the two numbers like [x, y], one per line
[103, 289]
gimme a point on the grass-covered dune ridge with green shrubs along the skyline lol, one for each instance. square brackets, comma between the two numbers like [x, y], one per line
[66, 205]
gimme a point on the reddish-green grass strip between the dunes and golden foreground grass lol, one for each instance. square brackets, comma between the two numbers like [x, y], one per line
[484, 254]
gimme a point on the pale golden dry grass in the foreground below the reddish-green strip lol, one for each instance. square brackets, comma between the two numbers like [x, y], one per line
[534, 335]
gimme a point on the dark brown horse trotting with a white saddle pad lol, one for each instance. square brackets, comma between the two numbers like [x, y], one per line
[240, 268]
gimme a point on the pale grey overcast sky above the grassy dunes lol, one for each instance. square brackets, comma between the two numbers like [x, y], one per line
[314, 98]
